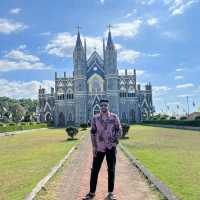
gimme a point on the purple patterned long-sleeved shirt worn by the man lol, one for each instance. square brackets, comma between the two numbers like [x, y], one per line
[105, 132]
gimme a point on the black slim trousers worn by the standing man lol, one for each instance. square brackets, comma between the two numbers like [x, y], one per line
[96, 166]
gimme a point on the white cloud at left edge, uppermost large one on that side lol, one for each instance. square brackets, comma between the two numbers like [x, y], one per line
[8, 26]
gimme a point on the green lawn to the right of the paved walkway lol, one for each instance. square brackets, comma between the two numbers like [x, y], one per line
[171, 155]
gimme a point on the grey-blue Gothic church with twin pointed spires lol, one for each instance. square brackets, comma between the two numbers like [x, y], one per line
[74, 100]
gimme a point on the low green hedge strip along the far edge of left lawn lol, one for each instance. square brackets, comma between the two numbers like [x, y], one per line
[19, 127]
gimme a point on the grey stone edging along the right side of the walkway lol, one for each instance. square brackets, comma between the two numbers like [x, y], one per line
[155, 181]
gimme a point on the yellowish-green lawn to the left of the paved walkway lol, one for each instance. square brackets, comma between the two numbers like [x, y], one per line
[26, 158]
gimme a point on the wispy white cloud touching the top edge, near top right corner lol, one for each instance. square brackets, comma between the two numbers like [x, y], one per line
[178, 7]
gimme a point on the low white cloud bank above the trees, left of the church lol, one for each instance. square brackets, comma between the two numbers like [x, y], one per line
[20, 89]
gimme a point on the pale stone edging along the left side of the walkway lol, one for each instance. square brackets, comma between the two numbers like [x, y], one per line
[41, 184]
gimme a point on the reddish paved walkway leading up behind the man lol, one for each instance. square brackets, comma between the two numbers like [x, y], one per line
[73, 182]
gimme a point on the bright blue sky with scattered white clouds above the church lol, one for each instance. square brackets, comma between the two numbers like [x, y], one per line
[160, 38]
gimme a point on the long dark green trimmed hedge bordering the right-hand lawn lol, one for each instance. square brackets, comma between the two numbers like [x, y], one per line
[195, 123]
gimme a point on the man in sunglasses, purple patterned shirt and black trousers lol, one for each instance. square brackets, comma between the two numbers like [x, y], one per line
[105, 131]
